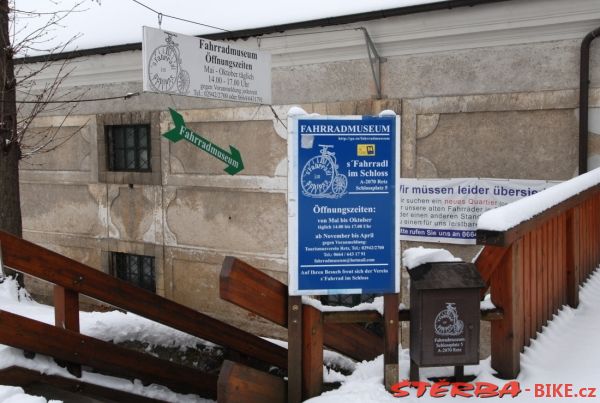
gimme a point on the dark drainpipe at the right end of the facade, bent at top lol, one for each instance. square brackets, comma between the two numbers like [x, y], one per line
[584, 89]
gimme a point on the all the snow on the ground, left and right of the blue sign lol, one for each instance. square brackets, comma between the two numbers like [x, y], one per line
[567, 352]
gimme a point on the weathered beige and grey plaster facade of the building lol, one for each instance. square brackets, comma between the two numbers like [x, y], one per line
[483, 91]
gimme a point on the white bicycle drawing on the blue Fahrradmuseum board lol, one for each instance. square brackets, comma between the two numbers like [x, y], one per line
[320, 177]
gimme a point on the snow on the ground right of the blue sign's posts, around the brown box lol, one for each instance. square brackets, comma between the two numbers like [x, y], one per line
[566, 352]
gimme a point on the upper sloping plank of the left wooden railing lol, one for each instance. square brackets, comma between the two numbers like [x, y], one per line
[42, 263]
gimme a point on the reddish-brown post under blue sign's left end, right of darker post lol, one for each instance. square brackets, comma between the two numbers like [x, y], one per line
[312, 352]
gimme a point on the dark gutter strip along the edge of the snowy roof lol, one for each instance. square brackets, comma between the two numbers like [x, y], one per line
[248, 33]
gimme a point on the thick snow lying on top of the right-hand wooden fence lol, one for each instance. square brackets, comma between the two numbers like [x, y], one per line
[511, 215]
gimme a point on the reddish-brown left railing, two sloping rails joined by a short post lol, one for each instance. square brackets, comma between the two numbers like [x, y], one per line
[72, 278]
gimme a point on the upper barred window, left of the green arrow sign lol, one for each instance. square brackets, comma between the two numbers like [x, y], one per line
[128, 147]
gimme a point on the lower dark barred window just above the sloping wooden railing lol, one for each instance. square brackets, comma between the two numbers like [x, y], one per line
[136, 269]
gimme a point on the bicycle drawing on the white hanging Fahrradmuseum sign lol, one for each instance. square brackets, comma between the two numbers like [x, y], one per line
[164, 68]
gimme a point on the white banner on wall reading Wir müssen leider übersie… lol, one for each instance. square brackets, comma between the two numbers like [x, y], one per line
[447, 210]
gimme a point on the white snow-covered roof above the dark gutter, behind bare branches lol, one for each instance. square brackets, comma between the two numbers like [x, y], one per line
[112, 22]
